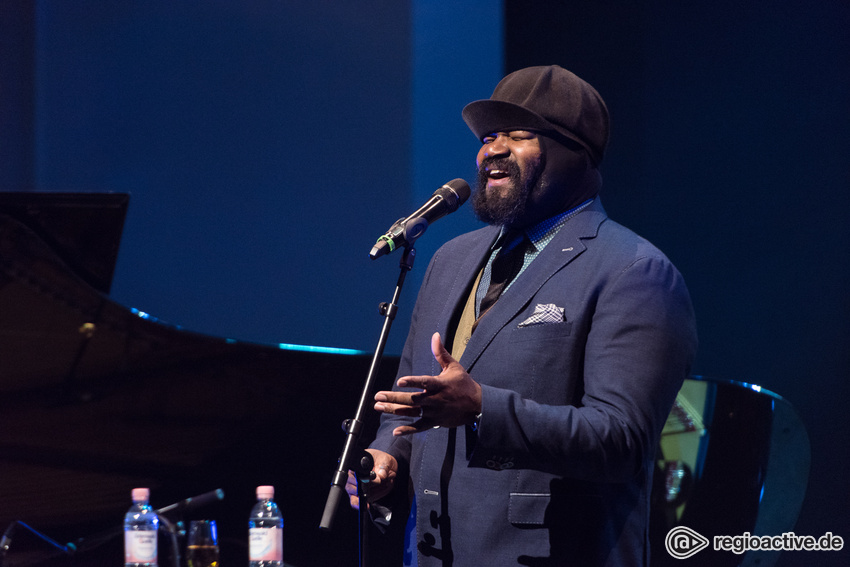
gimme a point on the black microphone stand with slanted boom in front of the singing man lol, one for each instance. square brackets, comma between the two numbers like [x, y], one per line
[353, 427]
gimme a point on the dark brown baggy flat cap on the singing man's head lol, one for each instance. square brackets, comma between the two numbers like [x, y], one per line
[549, 100]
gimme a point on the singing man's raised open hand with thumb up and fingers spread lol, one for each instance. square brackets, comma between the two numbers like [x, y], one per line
[448, 400]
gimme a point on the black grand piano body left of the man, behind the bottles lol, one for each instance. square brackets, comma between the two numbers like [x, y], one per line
[97, 398]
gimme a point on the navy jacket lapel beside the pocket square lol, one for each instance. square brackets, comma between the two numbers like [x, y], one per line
[564, 248]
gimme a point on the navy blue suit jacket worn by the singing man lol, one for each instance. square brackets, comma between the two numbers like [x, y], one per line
[559, 471]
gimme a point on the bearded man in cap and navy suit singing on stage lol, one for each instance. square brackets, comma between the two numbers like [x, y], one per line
[544, 353]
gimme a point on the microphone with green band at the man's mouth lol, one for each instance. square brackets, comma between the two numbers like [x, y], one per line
[405, 231]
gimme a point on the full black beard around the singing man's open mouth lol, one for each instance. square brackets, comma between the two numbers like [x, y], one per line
[511, 207]
